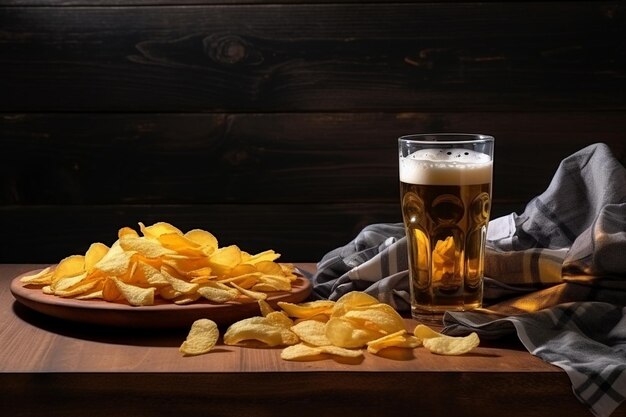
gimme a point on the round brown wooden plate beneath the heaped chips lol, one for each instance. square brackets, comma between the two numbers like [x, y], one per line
[161, 315]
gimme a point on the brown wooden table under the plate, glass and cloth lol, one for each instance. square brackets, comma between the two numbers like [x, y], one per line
[56, 368]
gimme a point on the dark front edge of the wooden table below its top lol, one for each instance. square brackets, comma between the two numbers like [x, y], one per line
[335, 393]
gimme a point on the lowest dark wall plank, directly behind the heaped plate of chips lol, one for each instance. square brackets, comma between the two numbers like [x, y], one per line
[297, 231]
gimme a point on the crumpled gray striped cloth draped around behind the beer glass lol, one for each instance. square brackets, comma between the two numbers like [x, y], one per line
[555, 275]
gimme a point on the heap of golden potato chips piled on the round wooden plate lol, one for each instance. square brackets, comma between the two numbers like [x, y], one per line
[167, 263]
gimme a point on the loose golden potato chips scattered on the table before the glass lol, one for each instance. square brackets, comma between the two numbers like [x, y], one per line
[310, 330]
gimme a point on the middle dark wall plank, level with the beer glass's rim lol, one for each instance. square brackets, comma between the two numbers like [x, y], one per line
[269, 158]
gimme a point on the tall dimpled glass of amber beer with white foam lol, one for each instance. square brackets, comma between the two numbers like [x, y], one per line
[445, 187]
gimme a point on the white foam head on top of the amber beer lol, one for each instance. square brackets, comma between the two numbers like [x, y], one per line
[446, 167]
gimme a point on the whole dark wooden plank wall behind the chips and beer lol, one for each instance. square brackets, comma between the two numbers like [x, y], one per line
[273, 124]
